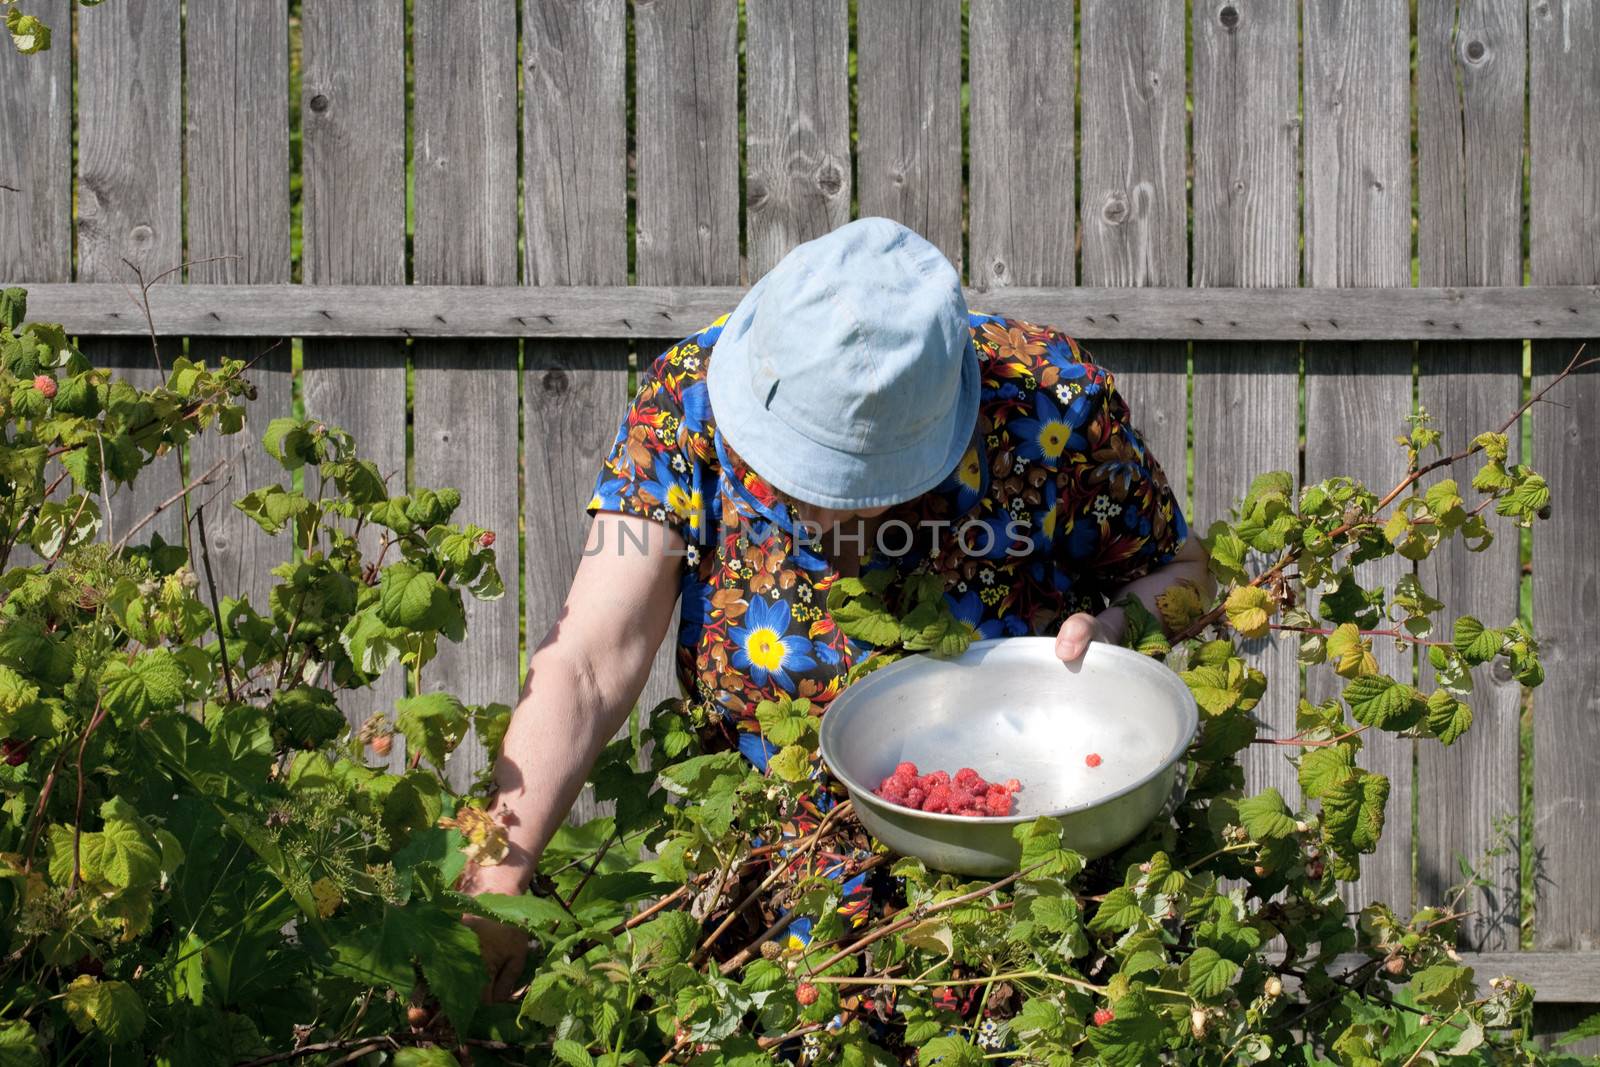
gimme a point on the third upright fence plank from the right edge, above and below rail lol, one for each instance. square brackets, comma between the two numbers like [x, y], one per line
[1358, 398]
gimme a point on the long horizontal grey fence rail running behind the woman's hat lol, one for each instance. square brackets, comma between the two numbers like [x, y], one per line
[625, 311]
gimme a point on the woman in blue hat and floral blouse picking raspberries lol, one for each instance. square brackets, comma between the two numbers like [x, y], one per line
[850, 415]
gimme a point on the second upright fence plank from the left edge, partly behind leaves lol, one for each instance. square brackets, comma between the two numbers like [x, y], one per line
[129, 210]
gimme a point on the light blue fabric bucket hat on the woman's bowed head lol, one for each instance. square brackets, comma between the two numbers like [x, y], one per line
[847, 377]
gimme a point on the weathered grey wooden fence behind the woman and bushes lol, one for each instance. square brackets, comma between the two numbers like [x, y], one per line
[1295, 222]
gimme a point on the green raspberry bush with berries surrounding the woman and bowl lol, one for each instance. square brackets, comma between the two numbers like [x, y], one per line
[204, 863]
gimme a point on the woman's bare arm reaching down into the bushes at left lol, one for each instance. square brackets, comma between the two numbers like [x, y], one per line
[583, 682]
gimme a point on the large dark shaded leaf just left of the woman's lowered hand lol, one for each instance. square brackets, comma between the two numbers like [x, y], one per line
[386, 953]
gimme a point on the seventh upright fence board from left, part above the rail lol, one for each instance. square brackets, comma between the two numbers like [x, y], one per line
[687, 105]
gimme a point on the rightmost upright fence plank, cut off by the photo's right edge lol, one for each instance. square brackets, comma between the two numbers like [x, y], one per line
[1566, 191]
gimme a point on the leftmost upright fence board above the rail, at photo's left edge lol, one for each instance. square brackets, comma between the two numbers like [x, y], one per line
[36, 185]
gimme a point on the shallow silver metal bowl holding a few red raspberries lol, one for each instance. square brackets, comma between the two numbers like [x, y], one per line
[1009, 708]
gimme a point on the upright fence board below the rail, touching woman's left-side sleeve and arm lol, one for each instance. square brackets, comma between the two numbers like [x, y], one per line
[574, 396]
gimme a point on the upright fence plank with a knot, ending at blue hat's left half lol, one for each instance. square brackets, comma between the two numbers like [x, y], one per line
[798, 113]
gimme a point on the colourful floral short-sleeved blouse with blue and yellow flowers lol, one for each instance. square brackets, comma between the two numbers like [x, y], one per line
[1055, 506]
